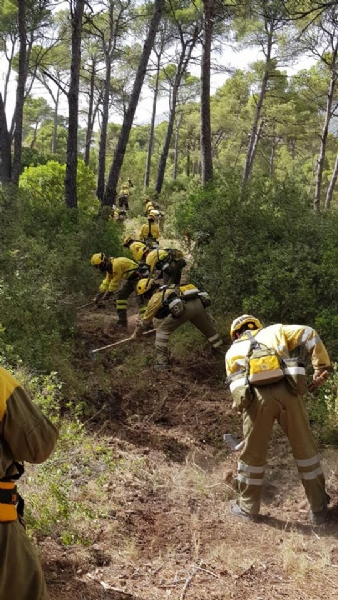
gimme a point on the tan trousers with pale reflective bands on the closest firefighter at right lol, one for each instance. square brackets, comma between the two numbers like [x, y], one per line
[276, 402]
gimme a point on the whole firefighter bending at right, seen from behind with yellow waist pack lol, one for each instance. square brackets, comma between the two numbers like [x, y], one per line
[267, 385]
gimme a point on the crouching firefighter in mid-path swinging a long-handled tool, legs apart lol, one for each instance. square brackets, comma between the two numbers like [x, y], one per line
[168, 308]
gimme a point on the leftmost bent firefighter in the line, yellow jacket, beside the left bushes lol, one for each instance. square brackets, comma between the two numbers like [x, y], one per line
[118, 270]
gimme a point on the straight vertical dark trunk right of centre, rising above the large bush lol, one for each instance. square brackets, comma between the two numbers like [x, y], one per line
[206, 155]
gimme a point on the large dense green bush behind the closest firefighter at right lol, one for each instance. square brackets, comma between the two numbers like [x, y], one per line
[264, 252]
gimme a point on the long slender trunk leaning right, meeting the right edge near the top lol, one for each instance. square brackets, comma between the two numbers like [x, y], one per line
[323, 139]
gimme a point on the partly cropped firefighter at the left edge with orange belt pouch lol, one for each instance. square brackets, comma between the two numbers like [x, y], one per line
[26, 435]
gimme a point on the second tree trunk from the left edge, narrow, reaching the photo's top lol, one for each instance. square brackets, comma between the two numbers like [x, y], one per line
[20, 92]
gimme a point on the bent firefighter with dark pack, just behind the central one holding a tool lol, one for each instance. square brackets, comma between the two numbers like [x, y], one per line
[169, 263]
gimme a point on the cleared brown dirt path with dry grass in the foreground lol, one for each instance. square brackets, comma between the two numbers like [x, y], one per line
[166, 530]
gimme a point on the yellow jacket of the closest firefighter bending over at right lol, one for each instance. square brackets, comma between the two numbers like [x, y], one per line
[282, 339]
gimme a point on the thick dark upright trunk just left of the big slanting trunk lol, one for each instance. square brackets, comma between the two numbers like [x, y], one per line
[73, 106]
